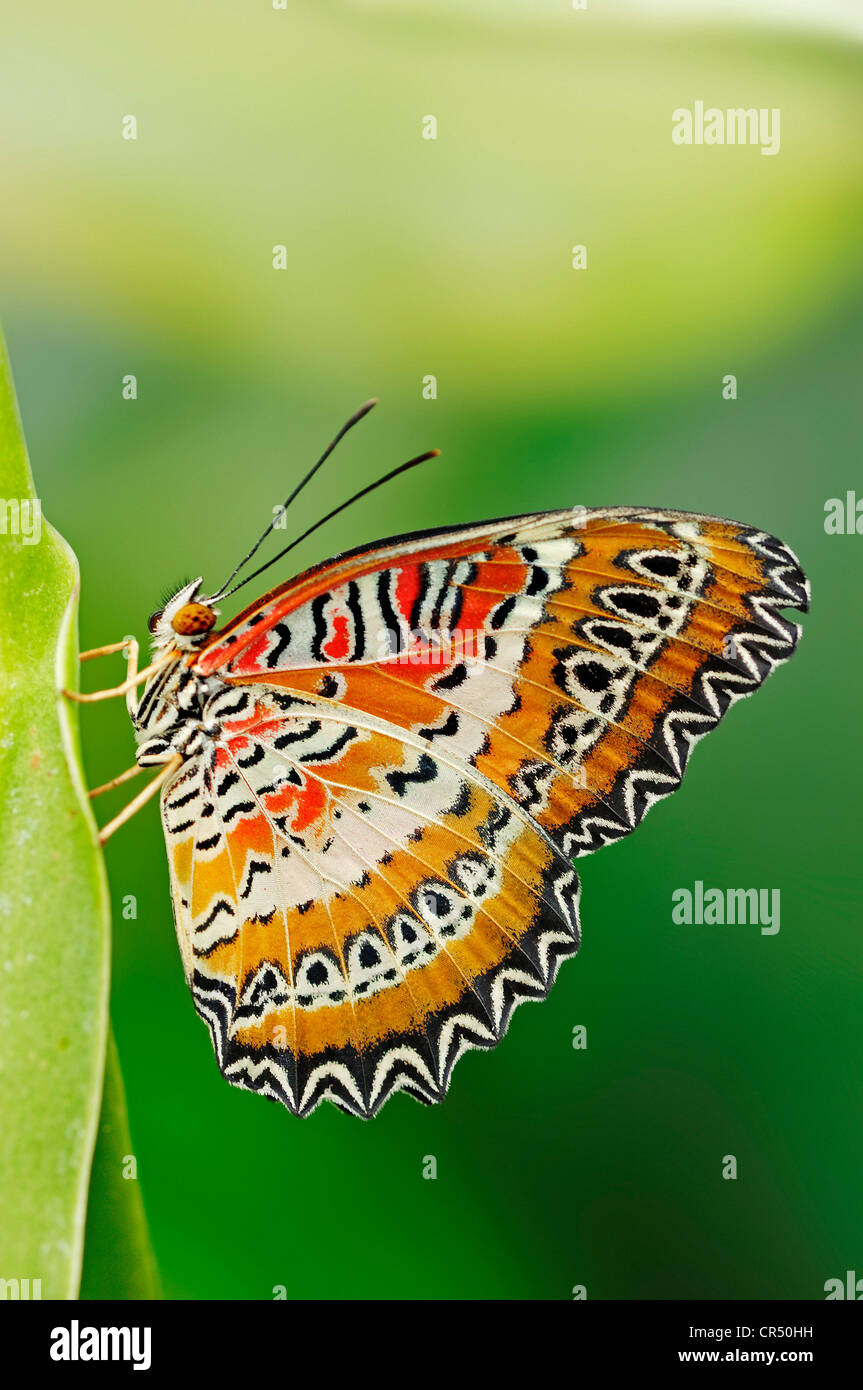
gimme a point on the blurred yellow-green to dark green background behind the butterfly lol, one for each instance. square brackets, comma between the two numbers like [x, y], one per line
[452, 258]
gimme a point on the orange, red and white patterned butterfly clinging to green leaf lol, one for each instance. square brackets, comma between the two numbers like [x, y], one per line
[376, 779]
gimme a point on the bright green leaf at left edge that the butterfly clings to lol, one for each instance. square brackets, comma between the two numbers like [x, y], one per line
[55, 908]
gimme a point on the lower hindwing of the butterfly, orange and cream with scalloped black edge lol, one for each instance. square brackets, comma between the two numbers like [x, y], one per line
[358, 911]
